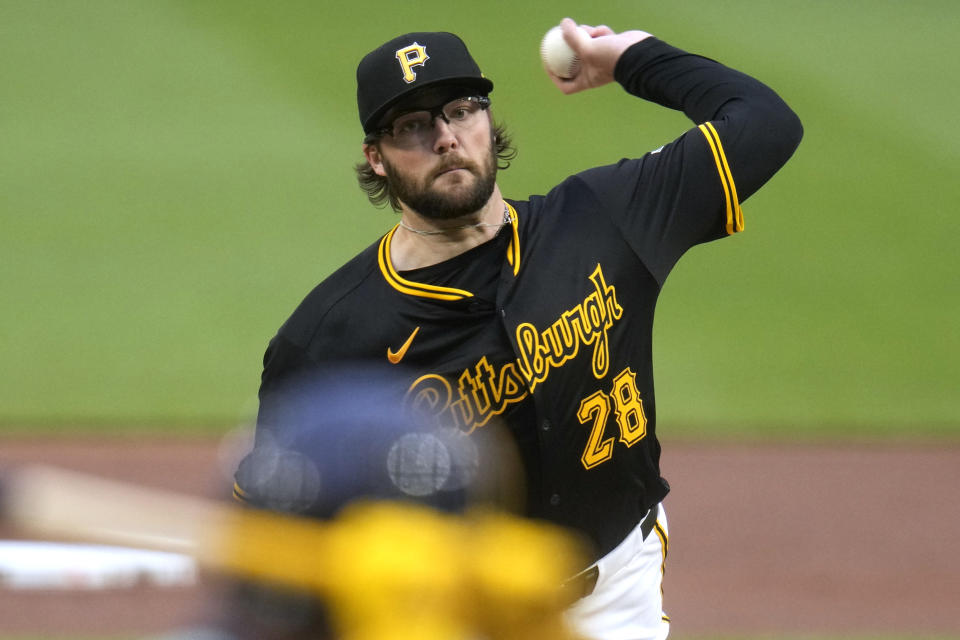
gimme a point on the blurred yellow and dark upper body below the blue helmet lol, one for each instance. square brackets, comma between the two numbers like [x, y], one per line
[394, 570]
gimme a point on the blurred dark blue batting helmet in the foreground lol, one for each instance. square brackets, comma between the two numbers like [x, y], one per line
[346, 432]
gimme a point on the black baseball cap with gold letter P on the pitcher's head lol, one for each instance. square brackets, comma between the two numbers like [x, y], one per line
[408, 63]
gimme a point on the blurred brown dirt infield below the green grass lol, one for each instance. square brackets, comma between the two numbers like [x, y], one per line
[765, 539]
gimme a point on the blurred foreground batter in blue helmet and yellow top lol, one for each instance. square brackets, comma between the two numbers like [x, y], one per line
[369, 522]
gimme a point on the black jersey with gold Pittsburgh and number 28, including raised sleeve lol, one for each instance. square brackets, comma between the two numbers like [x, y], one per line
[548, 326]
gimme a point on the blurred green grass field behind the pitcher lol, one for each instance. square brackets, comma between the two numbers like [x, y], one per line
[176, 175]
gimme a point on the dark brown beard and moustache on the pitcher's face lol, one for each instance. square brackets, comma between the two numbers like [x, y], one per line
[446, 203]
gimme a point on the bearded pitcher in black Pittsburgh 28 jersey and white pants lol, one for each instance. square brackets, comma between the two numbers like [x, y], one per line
[538, 312]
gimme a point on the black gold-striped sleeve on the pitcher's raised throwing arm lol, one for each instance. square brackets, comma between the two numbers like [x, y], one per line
[690, 190]
